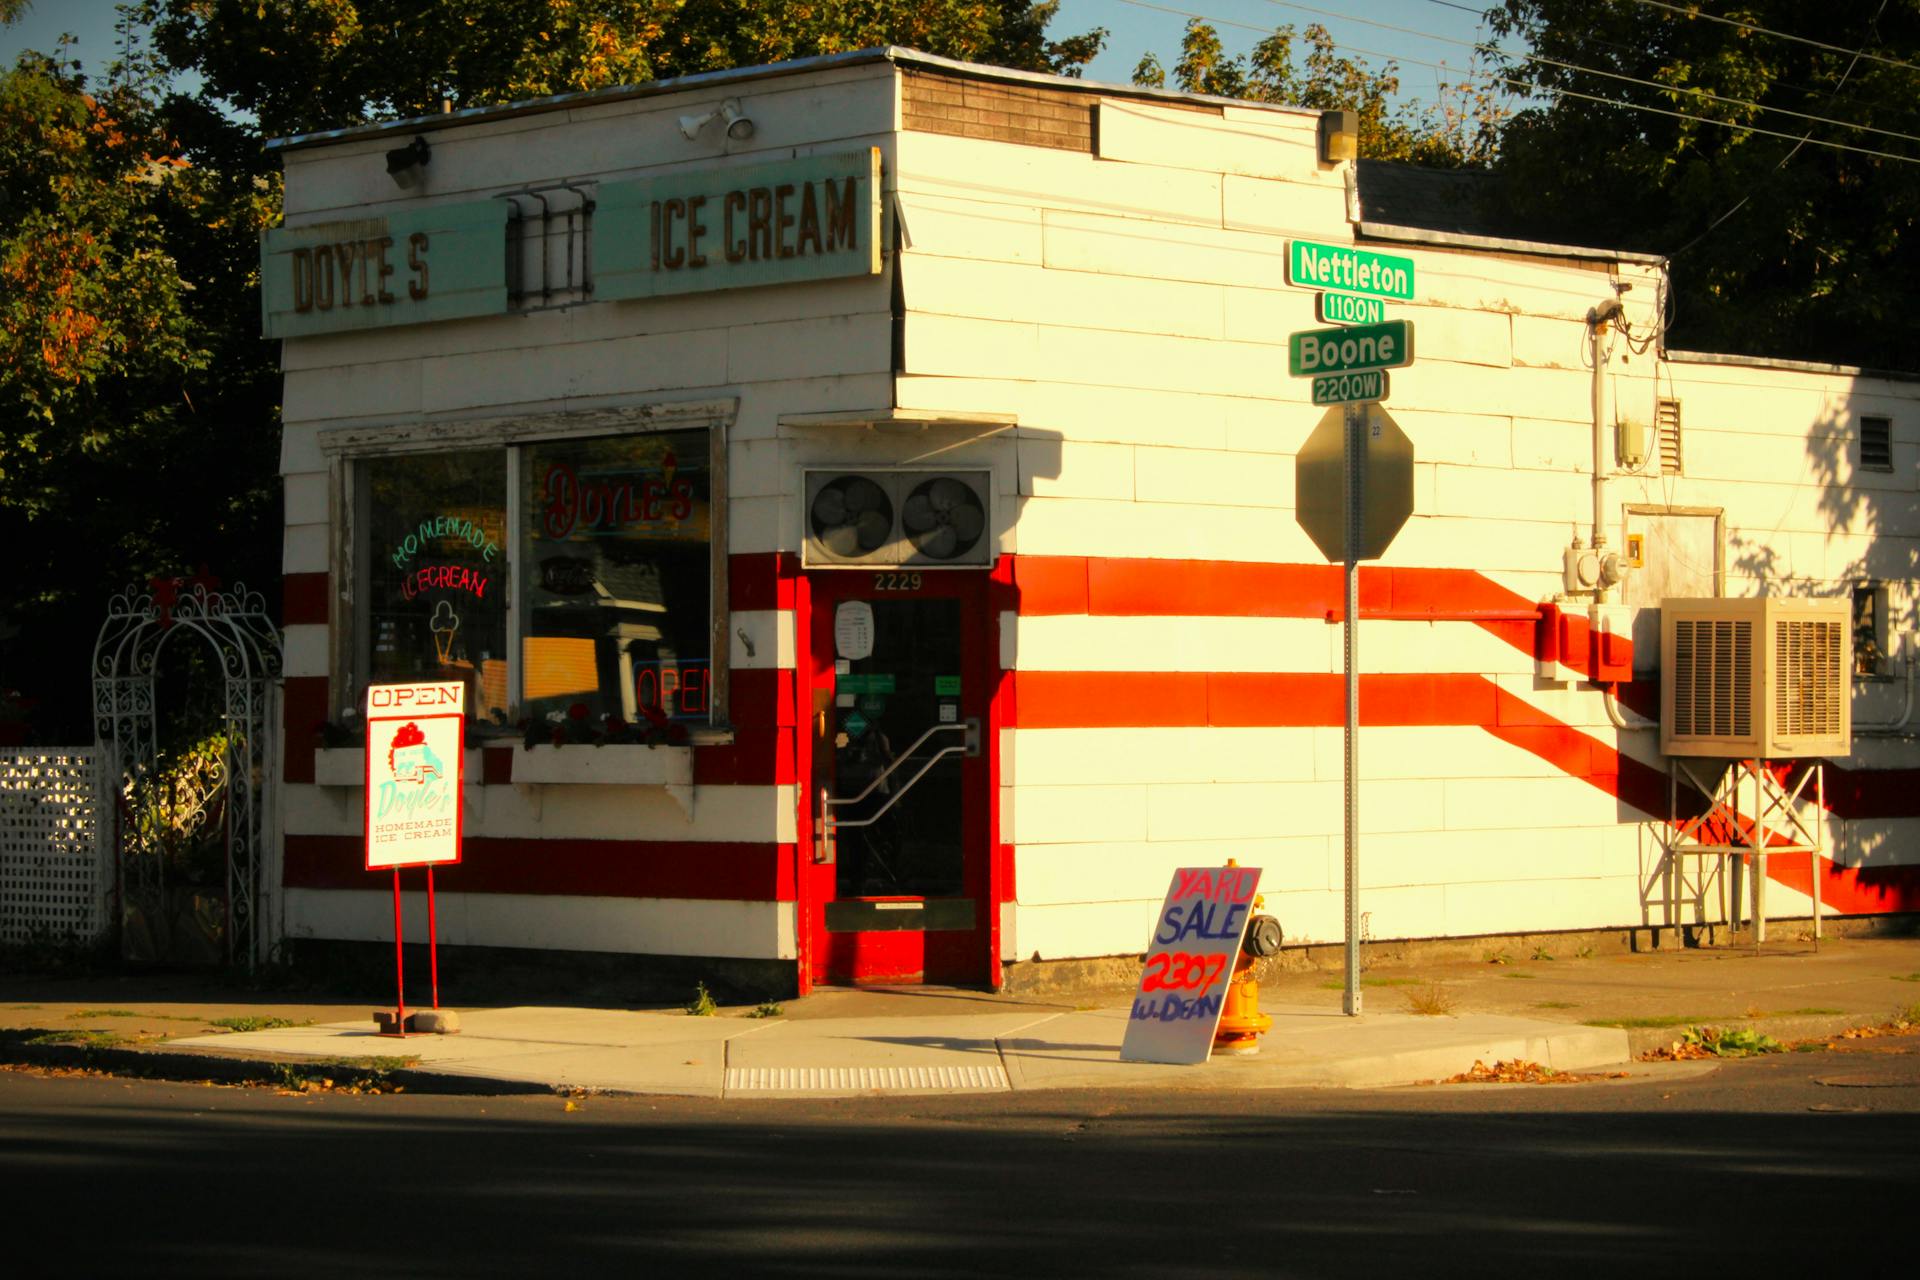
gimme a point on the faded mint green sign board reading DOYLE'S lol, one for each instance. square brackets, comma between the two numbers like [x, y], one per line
[406, 268]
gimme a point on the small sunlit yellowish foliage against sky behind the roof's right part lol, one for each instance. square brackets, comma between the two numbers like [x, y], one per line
[1462, 130]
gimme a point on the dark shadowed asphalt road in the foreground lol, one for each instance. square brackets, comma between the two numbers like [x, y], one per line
[1804, 1160]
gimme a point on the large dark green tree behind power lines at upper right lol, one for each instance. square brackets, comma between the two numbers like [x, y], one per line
[1646, 131]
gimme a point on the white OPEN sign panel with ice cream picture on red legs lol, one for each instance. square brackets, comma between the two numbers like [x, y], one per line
[416, 736]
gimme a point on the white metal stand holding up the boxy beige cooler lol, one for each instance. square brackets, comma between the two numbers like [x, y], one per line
[1752, 815]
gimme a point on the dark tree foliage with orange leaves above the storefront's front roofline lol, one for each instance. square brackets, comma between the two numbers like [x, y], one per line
[320, 64]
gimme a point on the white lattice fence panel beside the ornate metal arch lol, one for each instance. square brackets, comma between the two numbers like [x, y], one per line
[53, 870]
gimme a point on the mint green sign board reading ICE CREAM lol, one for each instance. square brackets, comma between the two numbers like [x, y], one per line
[815, 218]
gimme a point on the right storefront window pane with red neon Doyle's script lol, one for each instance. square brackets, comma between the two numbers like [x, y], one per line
[617, 579]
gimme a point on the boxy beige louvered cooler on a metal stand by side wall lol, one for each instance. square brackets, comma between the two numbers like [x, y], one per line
[1756, 680]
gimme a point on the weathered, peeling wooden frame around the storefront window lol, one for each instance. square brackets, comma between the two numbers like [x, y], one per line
[345, 446]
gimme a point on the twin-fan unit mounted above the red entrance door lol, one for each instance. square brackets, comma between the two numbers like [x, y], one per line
[923, 519]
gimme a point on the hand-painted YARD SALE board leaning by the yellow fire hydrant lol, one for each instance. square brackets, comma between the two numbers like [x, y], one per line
[1189, 964]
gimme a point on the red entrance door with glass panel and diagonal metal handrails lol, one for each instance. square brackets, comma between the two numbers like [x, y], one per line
[900, 682]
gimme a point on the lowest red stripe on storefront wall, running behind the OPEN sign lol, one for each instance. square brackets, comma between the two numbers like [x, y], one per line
[715, 872]
